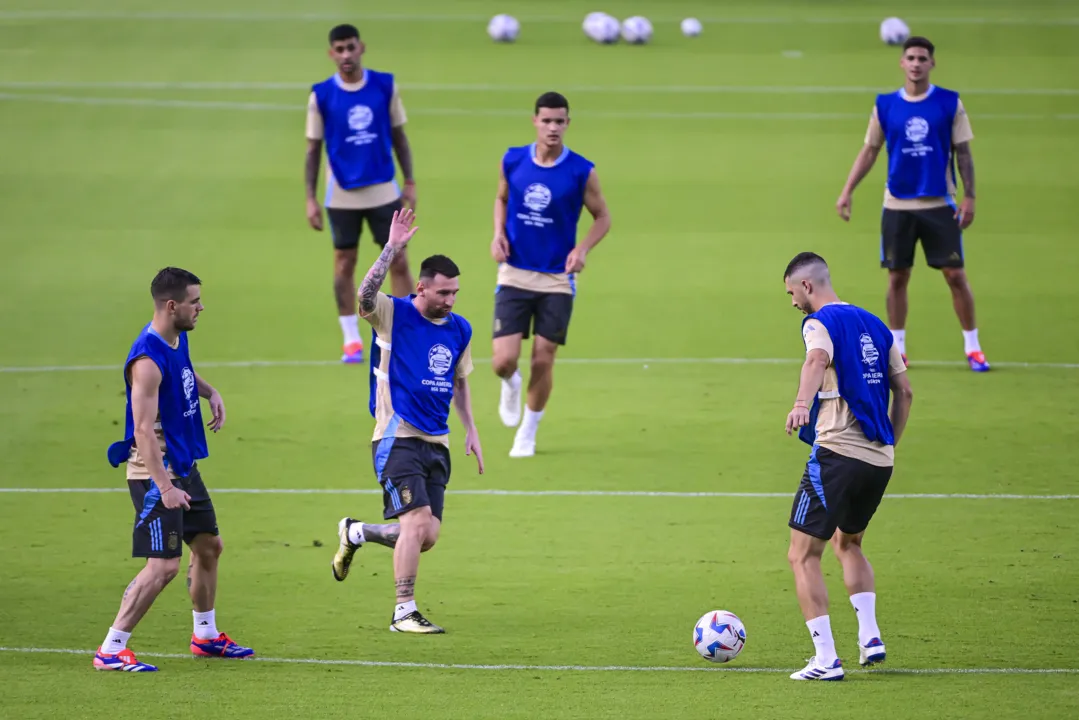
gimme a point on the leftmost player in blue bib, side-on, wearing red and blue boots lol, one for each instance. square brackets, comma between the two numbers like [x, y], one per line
[163, 442]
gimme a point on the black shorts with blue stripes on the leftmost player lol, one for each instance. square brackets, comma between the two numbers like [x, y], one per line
[159, 531]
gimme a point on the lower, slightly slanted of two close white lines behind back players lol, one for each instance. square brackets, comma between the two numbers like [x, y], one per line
[474, 113]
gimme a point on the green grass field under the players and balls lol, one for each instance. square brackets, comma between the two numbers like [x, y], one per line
[575, 593]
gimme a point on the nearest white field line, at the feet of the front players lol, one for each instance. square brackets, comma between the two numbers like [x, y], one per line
[577, 669]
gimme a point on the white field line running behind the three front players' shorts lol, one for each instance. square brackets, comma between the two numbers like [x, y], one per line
[547, 494]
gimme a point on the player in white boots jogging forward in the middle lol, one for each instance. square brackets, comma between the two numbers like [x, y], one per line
[542, 191]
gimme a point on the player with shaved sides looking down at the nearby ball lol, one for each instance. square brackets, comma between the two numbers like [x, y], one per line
[842, 412]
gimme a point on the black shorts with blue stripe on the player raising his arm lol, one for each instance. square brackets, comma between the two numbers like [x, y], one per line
[414, 473]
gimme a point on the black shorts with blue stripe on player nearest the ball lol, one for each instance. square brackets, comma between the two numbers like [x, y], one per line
[838, 492]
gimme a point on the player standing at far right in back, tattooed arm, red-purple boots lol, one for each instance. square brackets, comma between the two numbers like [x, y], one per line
[927, 133]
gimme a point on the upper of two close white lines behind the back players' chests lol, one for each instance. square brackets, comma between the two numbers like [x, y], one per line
[496, 88]
